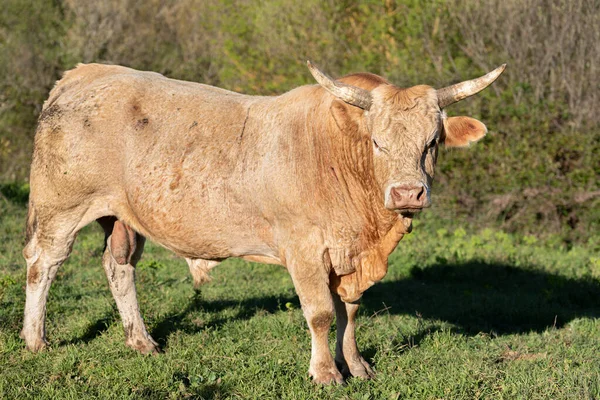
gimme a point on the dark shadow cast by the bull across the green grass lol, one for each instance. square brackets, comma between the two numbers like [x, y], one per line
[476, 297]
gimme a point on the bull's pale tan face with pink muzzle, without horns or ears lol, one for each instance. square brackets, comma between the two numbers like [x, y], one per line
[405, 127]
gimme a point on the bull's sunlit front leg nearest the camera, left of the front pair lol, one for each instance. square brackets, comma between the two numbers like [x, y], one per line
[312, 285]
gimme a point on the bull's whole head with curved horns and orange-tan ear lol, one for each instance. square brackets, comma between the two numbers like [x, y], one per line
[406, 127]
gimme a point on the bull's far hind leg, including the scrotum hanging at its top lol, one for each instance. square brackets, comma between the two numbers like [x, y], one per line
[124, 248]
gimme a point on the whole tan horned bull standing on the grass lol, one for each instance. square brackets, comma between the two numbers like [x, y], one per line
[323, 180]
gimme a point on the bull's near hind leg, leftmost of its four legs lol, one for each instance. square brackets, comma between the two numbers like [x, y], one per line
[50, 236]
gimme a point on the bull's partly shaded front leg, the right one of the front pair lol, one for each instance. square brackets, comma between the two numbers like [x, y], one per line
[347, 356]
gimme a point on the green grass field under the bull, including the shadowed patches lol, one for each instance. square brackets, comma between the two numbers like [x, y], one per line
[480, 314]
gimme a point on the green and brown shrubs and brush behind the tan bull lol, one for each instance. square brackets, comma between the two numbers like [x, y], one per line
[537, 171]
